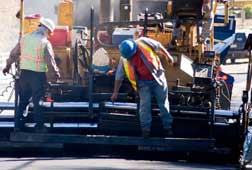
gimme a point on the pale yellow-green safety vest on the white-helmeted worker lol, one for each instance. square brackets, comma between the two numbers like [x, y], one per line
[32, 54]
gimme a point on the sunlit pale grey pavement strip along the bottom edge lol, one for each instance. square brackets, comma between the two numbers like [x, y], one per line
[72, 163]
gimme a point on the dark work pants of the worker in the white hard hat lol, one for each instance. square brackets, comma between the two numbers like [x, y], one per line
[31, 84]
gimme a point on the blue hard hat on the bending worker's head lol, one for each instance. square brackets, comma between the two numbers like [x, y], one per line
[128, 48]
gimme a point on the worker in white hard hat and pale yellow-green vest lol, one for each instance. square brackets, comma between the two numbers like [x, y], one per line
[36, 57]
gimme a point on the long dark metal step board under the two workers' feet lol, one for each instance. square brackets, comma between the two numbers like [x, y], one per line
[185, 144]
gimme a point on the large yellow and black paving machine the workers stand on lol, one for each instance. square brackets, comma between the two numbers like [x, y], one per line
[78, 108]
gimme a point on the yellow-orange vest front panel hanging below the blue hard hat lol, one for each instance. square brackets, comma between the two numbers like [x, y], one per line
[130, 73]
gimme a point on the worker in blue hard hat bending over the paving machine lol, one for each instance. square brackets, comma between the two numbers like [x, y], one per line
[141, 63]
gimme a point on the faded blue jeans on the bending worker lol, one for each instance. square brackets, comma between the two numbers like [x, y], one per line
[145, 89]
